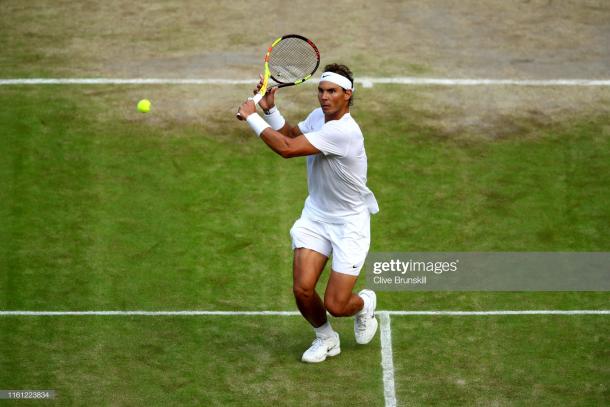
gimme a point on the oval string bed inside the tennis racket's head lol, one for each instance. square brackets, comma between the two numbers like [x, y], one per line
[292, 59]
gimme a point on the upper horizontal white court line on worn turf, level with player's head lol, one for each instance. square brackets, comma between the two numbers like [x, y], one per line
[364, 81]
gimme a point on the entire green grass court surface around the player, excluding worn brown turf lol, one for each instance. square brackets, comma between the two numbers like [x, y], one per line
[105, 208]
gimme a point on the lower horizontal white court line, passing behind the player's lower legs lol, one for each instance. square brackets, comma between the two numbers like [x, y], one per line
[296, 313]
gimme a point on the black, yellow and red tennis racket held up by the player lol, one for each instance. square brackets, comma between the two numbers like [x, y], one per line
[290, 60]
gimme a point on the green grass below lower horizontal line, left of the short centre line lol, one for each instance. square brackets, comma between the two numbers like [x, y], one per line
[212, 361]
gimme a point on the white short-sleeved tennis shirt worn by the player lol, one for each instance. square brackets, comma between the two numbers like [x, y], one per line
[336, 177]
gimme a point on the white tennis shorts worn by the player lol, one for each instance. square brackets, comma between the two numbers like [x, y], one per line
[348, 242]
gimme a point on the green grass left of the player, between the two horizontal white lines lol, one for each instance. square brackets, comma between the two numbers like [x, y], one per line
[116, 204]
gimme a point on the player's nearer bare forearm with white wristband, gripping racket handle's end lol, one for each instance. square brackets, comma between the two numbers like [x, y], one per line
[281, 143]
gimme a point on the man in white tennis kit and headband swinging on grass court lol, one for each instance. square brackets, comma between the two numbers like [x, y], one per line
[336, 216]
